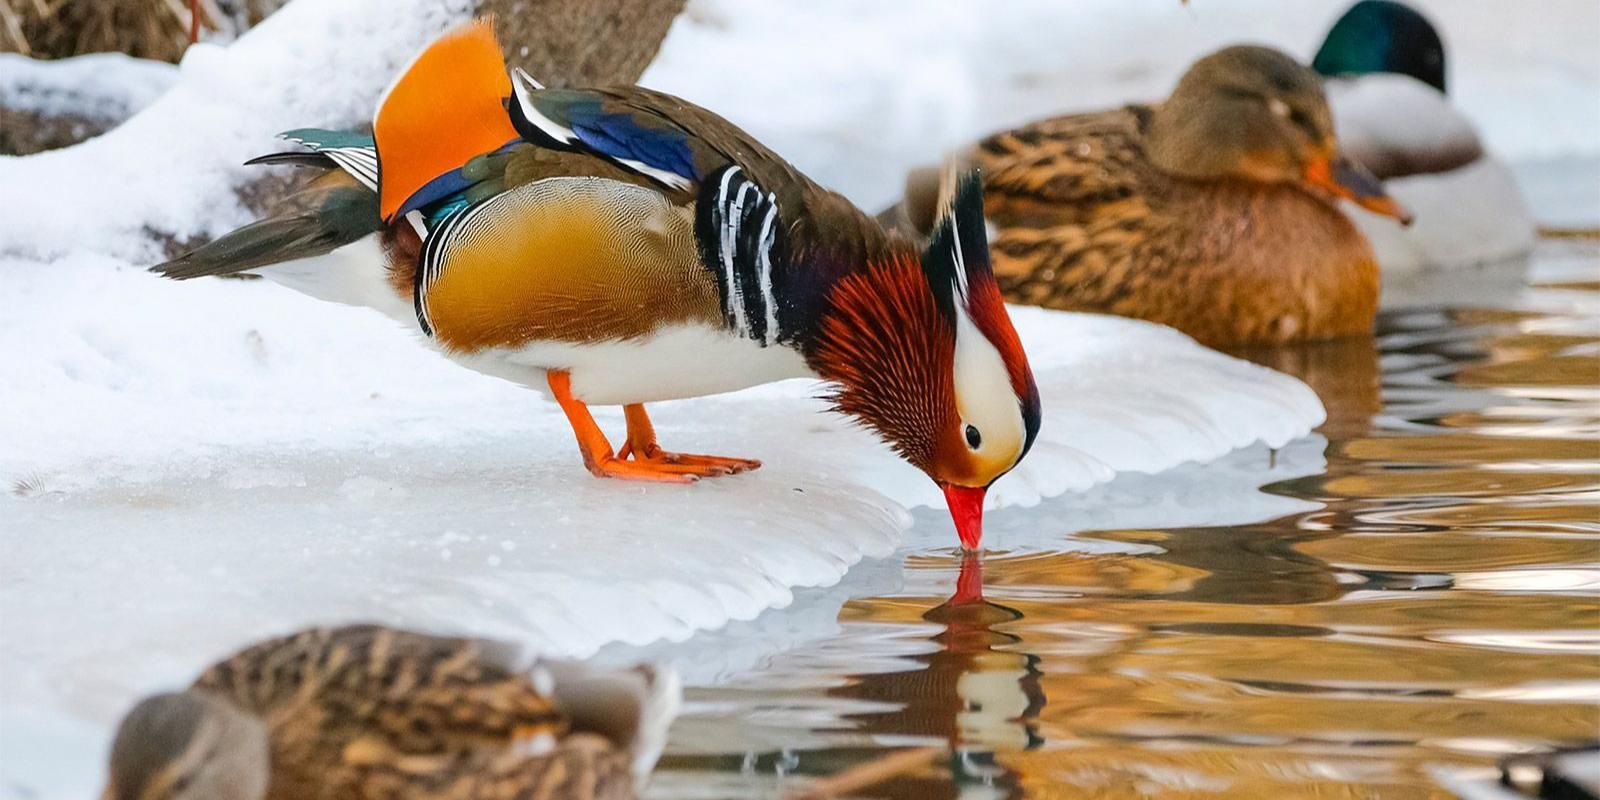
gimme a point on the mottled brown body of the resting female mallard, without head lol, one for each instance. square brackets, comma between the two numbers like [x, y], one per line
[1225, 262]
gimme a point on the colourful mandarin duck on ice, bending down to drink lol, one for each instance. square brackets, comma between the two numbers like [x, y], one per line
[622, 247]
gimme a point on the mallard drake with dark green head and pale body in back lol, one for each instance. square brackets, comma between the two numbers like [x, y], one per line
[1386, 82]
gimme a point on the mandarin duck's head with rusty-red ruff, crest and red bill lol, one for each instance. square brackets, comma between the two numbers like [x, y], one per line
[922, 353]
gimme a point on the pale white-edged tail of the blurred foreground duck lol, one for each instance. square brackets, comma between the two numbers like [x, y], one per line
[633, 708]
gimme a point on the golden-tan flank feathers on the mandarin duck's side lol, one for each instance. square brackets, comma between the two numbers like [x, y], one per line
[574, 260]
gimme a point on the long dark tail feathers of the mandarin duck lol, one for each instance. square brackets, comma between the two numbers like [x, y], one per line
[324, 220]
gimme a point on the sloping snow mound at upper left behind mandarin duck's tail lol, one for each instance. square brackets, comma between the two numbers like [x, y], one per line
[174, 167]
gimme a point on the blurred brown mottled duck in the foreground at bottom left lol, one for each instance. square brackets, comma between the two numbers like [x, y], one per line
[364, 711]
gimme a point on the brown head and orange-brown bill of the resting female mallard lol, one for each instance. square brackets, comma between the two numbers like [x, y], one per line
[1257, 114]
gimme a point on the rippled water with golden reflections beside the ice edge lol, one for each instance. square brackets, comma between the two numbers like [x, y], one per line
[1422, 593]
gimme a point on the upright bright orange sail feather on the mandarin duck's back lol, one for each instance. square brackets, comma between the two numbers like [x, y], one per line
[444, 110]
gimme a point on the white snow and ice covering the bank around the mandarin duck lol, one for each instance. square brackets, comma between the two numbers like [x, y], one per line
[201, 465]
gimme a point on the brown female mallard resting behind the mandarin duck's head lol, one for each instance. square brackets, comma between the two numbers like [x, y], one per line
[1214, 212]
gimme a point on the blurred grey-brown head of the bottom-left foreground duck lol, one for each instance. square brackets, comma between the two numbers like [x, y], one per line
[188, 746]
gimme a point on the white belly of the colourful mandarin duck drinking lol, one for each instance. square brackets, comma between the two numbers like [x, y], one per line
[673, 364]
